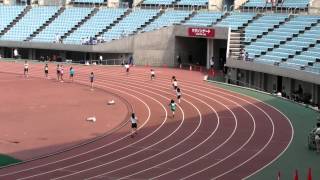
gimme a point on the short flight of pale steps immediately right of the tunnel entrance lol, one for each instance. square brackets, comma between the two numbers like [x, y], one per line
[235, 44]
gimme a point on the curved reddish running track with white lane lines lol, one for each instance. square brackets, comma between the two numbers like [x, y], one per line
[215, 134]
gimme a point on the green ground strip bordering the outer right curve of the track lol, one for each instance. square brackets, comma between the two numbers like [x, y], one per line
[297, 156]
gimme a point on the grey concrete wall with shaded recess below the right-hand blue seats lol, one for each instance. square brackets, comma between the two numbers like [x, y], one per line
[266, 78]
